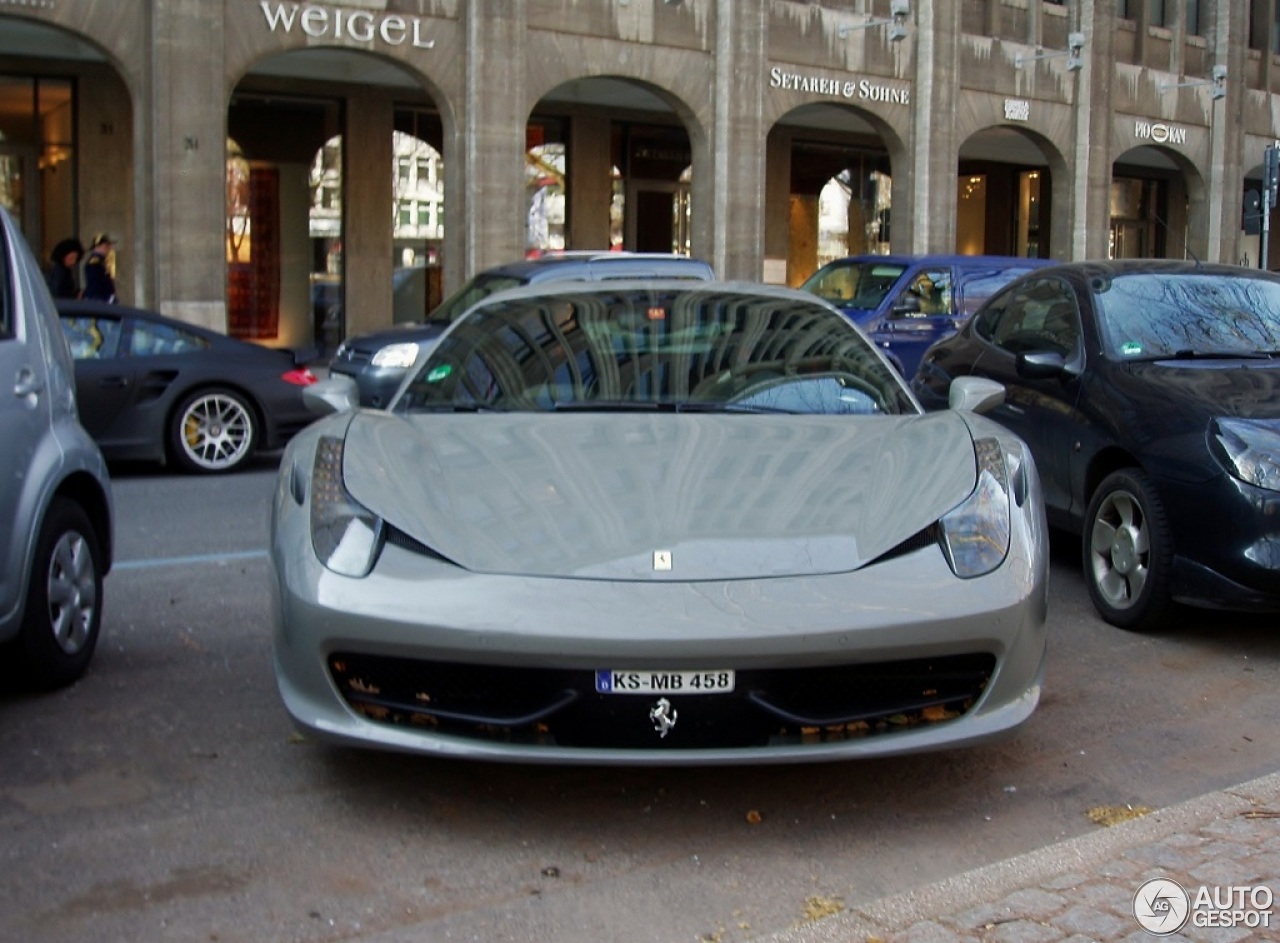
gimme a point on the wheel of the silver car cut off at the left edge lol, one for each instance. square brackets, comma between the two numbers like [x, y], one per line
[65, 601]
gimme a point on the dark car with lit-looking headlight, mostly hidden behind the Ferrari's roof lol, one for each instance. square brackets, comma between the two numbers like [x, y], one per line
[380, 361]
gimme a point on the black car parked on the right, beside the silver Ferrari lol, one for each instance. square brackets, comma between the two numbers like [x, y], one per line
[1150, 395]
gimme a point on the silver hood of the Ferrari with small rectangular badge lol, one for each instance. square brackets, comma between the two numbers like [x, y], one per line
[604, 496]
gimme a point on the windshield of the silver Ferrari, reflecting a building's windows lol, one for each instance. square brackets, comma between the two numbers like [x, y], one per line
[670, 349]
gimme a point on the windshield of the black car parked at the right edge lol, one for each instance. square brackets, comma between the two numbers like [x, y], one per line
[1164, 315]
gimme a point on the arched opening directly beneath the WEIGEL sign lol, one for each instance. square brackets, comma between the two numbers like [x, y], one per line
[336, 253]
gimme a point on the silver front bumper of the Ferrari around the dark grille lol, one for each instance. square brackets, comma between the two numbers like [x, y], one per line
[413, 610]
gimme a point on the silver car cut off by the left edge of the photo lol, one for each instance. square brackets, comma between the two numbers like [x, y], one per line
[56, 495]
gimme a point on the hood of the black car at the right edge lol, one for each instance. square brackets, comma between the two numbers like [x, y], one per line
[1192, 392]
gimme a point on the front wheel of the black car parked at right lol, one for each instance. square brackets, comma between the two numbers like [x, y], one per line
[1128, 552]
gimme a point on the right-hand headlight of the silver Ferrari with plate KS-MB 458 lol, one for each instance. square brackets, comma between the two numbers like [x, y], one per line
[976, 535]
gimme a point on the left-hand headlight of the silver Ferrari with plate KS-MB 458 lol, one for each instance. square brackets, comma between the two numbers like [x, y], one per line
[345, 535]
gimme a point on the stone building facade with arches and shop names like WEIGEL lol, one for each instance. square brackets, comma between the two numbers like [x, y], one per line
[1066, 130]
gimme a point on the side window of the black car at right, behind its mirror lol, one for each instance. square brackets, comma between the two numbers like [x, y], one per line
[1039, 315]
